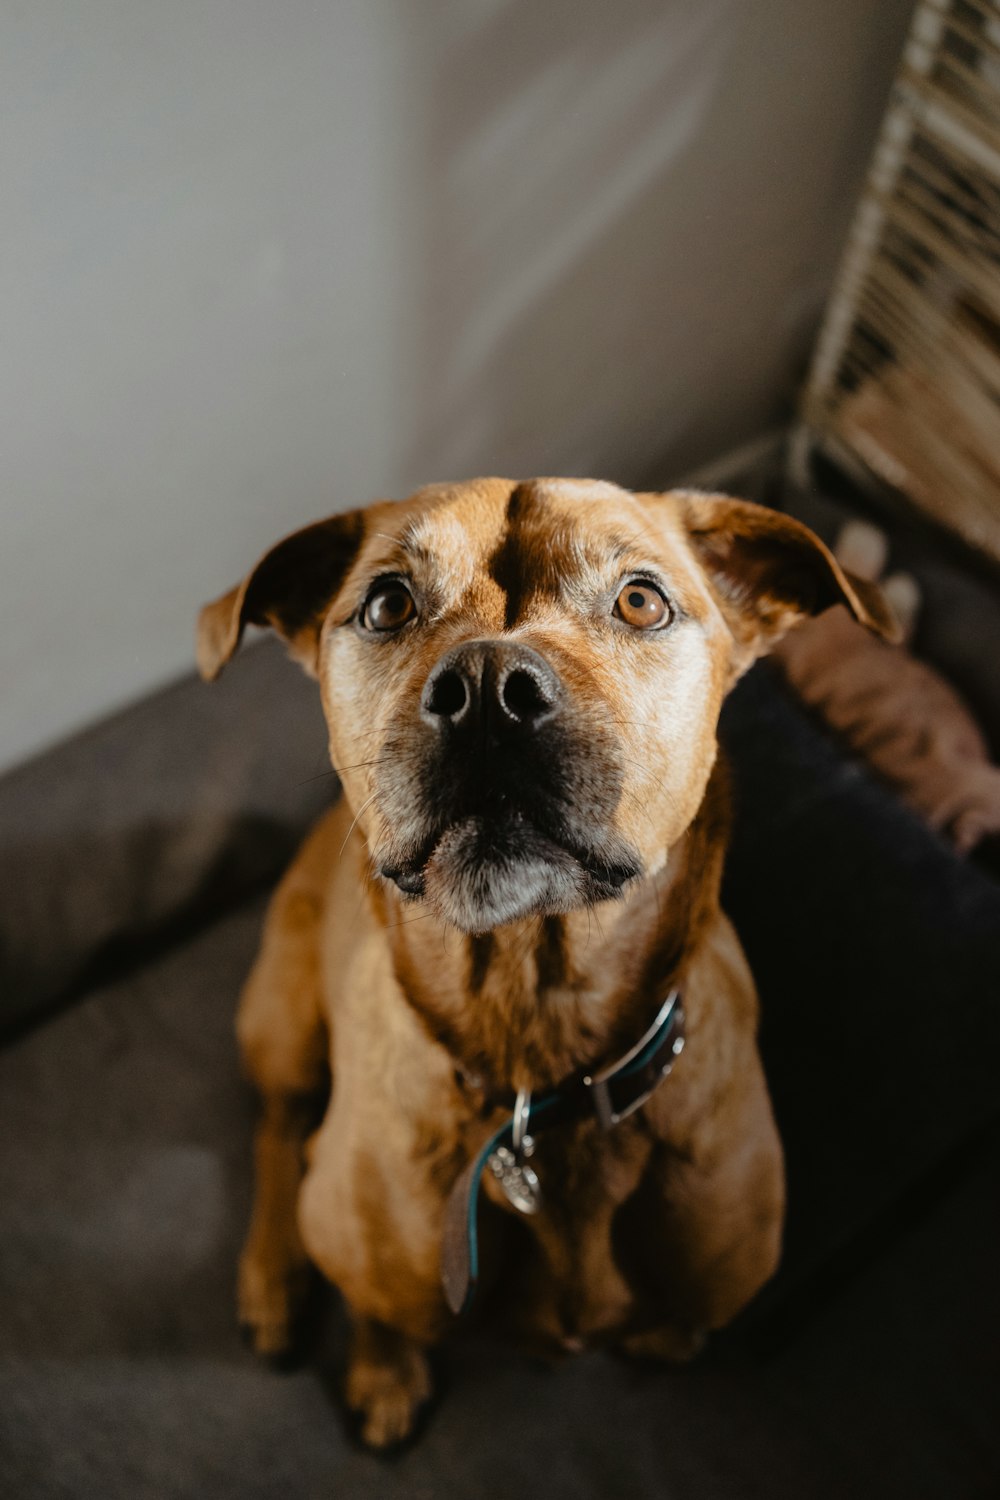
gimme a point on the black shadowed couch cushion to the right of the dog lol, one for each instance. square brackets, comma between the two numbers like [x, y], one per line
[876, 952]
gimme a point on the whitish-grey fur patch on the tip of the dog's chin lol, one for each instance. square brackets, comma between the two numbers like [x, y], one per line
[478, 889]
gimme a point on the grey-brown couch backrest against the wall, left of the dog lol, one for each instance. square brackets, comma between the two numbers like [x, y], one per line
[157, 818]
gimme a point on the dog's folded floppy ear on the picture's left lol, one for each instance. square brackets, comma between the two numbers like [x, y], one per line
[290, 590]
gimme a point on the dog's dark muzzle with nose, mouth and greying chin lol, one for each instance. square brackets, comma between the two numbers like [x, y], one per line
[515, 794]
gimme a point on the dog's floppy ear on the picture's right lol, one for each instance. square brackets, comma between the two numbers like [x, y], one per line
[770, 572]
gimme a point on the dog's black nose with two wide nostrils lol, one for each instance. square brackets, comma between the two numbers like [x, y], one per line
[499, 685]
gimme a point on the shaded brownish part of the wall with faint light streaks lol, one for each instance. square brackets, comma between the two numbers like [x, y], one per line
[591, 170]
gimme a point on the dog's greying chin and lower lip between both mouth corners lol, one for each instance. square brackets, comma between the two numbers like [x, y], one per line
[482, 875]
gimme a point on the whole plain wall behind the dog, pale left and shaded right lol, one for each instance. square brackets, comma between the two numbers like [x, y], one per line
[266, 259]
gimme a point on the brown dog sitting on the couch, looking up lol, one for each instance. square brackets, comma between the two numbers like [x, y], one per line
[522, 685]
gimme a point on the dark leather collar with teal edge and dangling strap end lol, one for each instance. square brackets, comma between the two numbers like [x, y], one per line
[611, 1096]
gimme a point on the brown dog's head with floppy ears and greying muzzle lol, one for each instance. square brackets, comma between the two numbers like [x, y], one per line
[522, 680]
